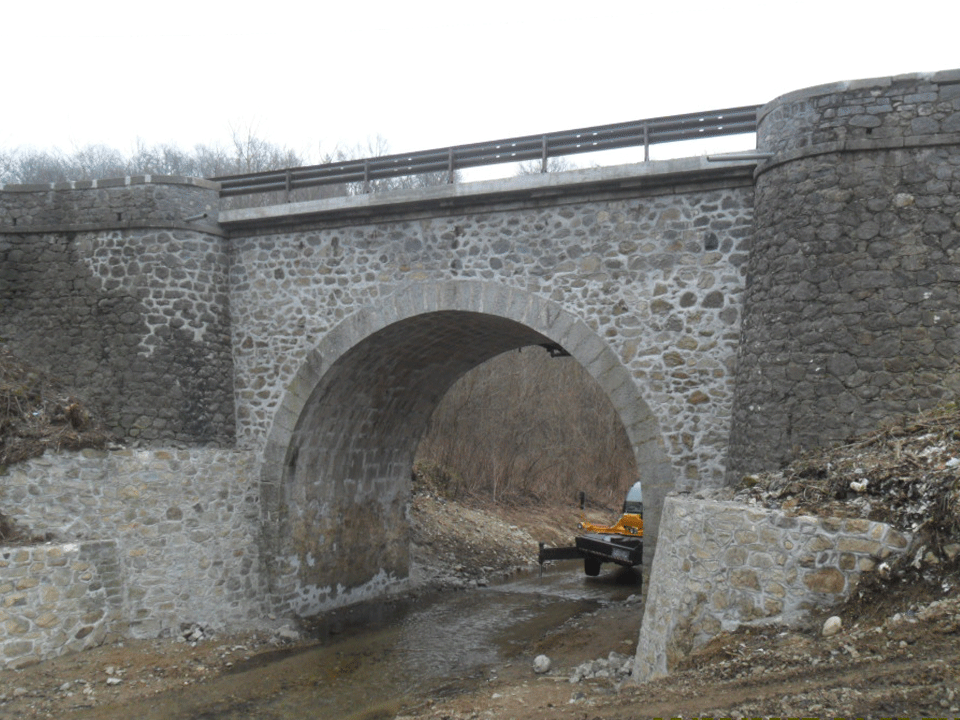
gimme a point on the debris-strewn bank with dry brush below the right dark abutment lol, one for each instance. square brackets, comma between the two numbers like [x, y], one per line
[906, 474]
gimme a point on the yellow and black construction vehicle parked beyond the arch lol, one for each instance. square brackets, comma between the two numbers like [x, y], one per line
[620, 543]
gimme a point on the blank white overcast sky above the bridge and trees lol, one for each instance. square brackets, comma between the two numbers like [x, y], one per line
[423, 73]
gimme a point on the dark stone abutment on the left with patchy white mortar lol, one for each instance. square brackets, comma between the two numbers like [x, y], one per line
[107, 288]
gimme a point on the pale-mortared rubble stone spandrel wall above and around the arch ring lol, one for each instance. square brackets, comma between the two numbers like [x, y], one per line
[659, 277]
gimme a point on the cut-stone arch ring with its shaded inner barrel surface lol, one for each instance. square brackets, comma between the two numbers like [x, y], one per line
[337, 461]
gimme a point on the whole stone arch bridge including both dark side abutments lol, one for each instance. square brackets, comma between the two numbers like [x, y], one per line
[732, 311]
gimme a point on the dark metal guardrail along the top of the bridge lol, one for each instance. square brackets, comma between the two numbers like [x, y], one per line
[693, 126]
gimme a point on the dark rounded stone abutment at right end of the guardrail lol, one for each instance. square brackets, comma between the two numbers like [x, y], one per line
[852, 305]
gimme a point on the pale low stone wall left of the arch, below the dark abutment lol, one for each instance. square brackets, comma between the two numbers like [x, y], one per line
[183, 525]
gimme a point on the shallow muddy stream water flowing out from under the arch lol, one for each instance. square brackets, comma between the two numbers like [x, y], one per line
[377, 658]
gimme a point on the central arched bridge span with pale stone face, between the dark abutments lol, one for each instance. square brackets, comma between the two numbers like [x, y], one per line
[371, 309]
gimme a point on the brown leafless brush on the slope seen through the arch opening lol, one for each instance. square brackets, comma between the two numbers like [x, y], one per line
[526, 426]
